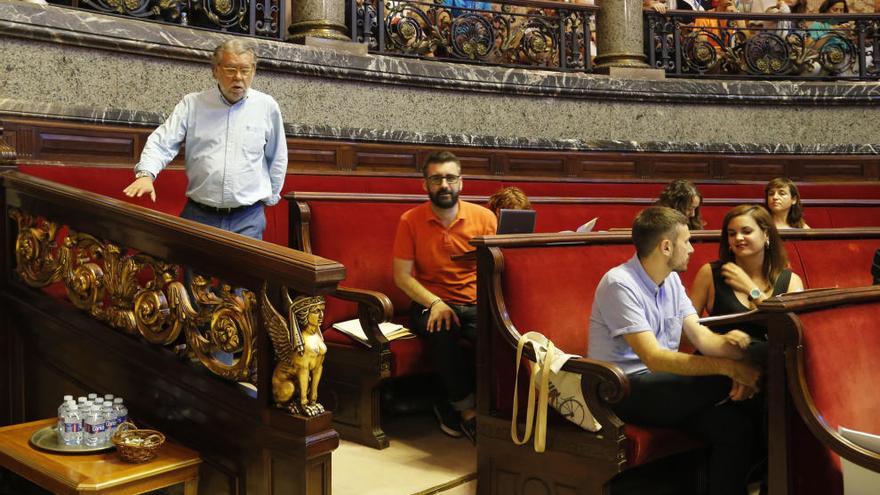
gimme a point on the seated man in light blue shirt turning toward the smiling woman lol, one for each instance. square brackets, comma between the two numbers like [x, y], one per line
[639, 313]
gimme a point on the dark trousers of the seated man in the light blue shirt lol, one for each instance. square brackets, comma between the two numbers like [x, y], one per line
[699, 405]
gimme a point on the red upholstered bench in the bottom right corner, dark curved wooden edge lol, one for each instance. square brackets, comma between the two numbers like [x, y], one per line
[829, 341]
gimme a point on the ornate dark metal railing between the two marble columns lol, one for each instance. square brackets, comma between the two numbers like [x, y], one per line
[550, 35]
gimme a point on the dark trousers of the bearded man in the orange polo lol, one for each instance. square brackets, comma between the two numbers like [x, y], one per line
[455, 371]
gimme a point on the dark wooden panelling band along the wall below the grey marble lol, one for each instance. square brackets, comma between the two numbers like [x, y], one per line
[75, 143]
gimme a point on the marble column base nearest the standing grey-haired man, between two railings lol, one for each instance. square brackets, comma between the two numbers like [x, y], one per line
[319, 19]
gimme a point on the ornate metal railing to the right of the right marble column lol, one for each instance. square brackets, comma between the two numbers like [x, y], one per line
[787, 46]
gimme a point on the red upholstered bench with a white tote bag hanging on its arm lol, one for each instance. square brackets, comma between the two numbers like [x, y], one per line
[546, 283]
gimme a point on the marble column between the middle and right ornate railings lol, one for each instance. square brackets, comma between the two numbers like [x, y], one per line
[619, 34]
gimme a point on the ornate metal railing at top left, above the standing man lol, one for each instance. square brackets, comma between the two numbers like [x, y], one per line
[261, 18]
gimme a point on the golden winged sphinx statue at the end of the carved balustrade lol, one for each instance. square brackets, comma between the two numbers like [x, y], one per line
[299, 352]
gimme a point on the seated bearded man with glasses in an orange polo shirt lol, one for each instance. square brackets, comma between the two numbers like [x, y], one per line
[443, 291]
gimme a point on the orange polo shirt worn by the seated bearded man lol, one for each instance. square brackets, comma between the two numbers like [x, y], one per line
[422, 238]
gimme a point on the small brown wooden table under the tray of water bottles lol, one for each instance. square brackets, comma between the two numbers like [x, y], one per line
[95, 474]
